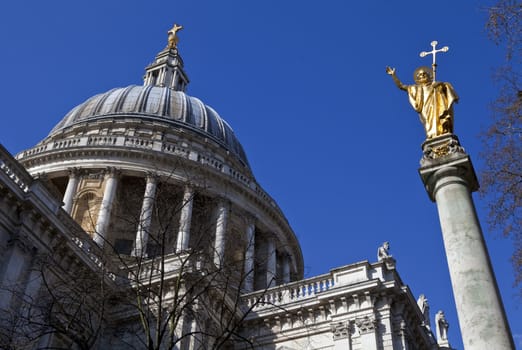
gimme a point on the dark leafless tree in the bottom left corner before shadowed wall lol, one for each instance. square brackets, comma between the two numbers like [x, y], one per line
[60, 300]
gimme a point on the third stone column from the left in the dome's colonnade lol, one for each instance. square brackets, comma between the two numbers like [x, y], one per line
[142, 236]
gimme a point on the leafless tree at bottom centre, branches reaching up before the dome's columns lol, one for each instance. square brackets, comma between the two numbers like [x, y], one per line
[182, 296]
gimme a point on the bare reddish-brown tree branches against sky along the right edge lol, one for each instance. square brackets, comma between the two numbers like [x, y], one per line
[502, 174]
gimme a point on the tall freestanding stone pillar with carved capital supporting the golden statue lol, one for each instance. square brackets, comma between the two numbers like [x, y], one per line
[449, 177]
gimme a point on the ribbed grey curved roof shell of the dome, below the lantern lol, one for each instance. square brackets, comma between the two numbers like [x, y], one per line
[157, 103]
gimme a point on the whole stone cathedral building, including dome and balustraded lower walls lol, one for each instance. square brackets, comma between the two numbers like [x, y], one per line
[145, 191]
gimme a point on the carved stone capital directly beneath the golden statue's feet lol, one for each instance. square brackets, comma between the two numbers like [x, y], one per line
[442, 157]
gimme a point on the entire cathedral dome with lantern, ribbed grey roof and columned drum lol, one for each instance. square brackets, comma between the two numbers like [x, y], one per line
[138, 163]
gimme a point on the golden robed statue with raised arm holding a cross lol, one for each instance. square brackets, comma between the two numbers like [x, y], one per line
[433, 100]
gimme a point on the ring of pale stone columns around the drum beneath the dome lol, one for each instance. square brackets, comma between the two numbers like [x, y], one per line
[136, 215]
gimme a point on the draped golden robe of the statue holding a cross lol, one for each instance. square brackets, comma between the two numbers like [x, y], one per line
[434, 103]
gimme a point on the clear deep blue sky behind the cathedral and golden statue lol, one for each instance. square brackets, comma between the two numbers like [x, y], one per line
[303, 84]
